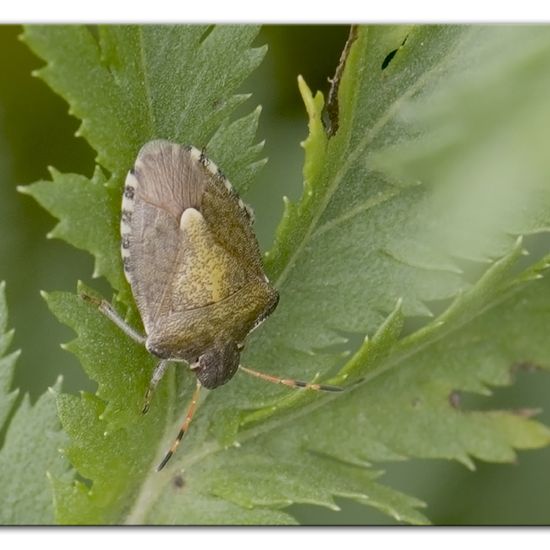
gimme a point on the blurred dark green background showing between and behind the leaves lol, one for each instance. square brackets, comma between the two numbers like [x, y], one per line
[36, 132]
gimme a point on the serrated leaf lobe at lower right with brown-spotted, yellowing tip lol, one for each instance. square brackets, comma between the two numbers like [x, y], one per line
[396, 407]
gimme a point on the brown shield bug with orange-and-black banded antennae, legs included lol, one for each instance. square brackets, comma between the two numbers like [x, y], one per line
[194, 266]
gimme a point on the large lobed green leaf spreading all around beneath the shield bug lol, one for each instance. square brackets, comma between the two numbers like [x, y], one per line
[401, 277]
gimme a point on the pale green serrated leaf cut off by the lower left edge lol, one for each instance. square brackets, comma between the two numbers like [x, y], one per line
[30, 447]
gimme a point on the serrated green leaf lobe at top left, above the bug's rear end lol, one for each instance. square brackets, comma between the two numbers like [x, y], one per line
[129, 84]
